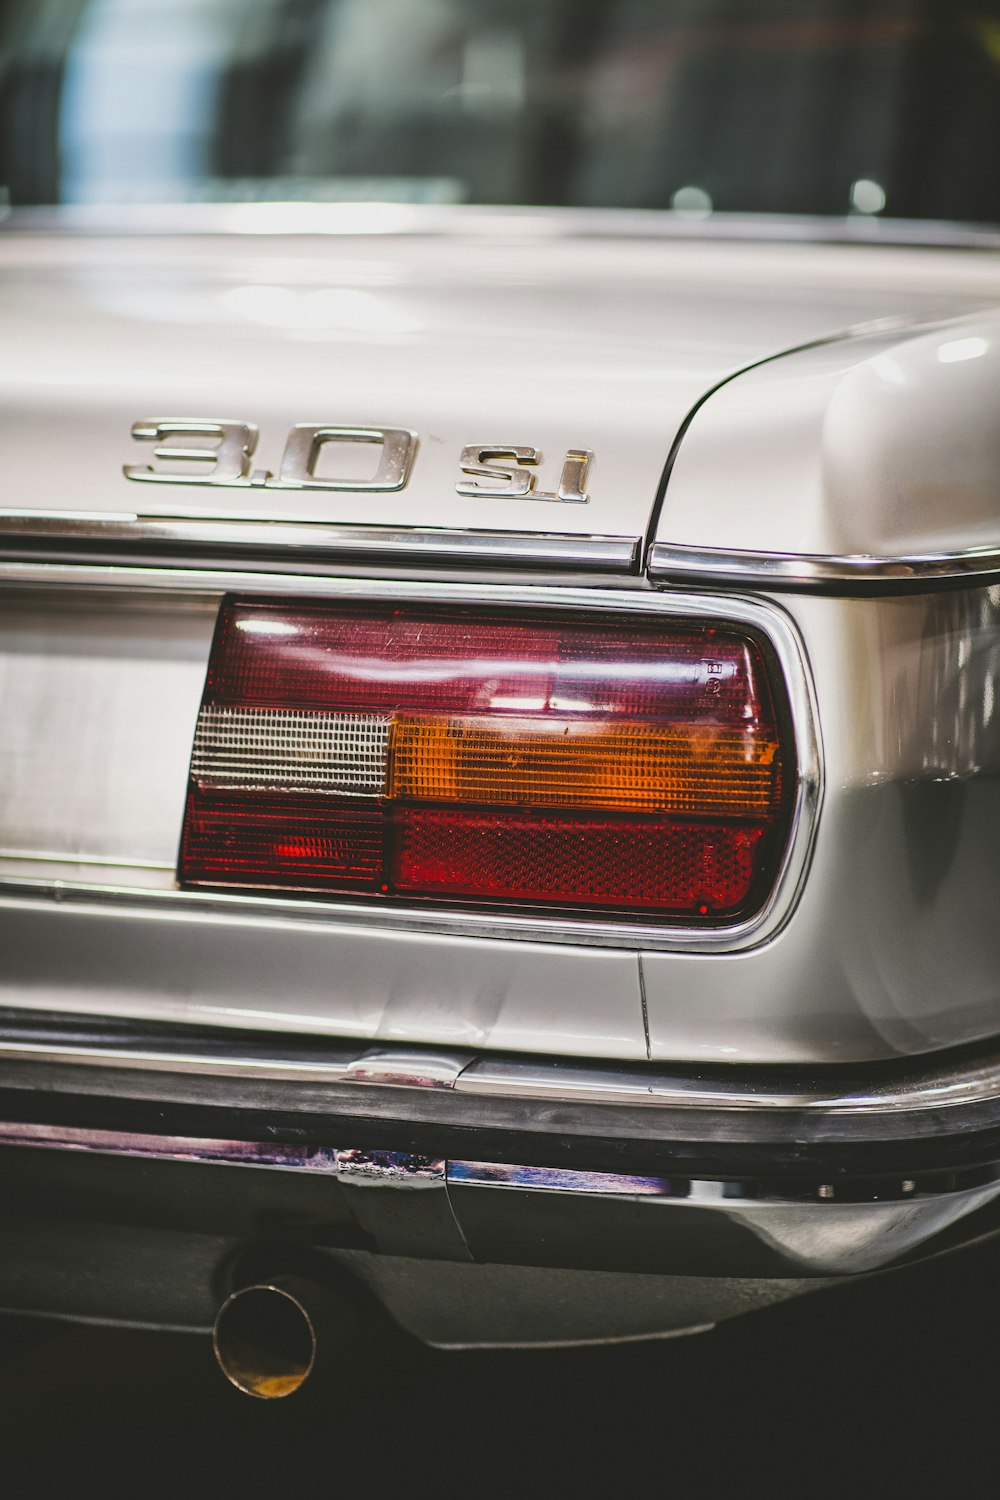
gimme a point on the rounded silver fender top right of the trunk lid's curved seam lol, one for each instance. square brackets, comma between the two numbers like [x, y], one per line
[887, 445]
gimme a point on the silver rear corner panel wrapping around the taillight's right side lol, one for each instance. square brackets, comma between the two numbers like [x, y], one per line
[894, 946]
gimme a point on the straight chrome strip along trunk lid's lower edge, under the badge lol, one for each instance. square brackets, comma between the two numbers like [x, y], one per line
[290, 542]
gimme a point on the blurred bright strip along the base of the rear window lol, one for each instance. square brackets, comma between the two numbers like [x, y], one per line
[487, 221]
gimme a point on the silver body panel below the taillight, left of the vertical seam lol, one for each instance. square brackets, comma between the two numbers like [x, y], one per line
[286, 974]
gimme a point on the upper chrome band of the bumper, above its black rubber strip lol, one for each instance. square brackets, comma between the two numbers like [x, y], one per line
[909, 1088]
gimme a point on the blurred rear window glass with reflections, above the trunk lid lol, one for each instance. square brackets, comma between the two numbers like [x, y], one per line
[791, 107]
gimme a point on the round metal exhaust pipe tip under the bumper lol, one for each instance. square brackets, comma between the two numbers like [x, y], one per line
[269, 1339]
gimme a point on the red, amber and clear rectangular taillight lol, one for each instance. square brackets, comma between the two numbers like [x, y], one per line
[424, 754]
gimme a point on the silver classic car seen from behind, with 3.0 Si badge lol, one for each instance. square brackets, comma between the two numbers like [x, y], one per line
[500, 646]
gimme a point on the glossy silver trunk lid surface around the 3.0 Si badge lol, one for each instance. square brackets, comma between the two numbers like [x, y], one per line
[510, 337]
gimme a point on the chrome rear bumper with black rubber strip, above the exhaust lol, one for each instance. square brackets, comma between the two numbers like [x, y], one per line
[445, 1157]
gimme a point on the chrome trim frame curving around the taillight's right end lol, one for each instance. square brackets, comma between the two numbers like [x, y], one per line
[761, 616]
